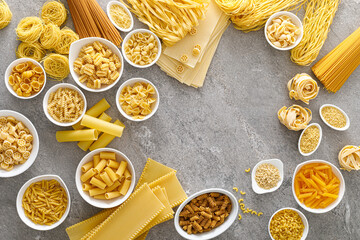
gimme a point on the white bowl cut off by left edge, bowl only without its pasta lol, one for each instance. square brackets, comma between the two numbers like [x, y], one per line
[18, 169]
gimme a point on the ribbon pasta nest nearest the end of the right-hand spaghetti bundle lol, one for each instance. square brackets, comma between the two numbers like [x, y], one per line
[303, 87]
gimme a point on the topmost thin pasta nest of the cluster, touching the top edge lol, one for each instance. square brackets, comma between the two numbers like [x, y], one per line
[54, 12]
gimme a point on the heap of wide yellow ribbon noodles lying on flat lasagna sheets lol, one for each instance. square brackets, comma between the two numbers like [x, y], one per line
[170, 20]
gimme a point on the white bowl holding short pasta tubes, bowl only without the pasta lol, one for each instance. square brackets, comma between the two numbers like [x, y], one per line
[102, 203]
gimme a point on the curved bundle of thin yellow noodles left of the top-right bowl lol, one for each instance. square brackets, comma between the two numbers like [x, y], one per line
[263, 9]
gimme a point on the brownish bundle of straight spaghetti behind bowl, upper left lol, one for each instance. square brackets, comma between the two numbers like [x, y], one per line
[91, 21]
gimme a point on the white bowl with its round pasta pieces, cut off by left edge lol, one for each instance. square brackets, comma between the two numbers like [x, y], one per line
[19, 143]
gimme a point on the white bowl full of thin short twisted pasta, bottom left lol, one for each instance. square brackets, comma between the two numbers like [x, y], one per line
[36, 189]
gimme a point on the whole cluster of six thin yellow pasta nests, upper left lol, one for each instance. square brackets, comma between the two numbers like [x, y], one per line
[39, 35]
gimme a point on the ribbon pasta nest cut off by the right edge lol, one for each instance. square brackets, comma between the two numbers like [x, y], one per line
[349, 158]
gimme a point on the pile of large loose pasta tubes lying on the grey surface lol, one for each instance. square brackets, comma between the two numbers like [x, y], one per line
[95, 129]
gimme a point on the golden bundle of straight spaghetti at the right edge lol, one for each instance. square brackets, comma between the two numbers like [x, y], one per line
[336, 67]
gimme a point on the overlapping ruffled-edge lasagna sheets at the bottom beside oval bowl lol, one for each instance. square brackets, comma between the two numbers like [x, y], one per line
[157, 192]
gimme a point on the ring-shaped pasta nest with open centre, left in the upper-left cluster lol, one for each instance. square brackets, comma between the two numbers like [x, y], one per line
[29, 29]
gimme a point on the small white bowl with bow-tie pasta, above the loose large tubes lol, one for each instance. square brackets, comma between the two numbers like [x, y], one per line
[137, 99]
